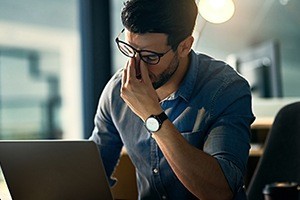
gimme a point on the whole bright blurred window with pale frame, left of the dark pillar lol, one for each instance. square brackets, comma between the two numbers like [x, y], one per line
[40, 73]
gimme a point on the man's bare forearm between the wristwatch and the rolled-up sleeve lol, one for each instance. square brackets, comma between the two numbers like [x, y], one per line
[198, 171]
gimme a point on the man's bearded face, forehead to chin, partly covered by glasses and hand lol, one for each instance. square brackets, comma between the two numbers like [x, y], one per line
[161, 72]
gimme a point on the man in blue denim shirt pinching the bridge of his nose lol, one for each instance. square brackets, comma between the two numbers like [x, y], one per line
[184, 118]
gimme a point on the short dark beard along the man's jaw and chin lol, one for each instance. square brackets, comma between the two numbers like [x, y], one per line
[166, 75]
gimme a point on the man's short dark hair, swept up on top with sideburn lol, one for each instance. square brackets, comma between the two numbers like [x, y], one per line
[175, 18]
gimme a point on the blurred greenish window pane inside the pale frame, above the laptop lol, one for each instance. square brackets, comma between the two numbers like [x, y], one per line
[30, 99]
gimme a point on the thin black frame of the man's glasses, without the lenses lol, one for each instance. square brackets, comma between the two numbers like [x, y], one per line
[139, 52]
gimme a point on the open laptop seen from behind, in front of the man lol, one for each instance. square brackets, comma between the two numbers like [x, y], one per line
[54, 170]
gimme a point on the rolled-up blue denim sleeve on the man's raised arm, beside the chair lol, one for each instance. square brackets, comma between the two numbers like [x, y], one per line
[229, 136]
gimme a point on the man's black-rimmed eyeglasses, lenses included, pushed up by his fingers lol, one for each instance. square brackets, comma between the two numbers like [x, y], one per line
[149, 57]
